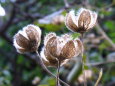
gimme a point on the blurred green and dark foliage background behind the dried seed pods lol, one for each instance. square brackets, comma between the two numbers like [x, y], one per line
[23, 70]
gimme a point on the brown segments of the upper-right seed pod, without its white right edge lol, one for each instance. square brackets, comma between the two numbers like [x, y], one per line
[84, 21]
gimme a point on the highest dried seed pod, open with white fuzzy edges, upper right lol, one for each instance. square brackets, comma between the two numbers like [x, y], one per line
[82, 21]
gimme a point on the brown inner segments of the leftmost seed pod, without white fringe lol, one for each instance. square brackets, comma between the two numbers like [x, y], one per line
[31, 44]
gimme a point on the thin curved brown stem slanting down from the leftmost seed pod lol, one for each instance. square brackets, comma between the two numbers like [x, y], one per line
[45, 68]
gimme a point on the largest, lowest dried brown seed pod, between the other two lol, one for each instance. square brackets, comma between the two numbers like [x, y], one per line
[62, 48]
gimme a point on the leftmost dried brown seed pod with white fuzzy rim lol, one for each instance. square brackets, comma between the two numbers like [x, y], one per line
[28, 39]
